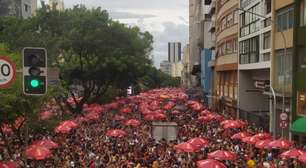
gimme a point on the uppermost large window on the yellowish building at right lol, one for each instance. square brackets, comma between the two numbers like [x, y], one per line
[285, 18]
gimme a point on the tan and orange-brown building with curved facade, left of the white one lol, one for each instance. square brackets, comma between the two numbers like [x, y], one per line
[226, 63]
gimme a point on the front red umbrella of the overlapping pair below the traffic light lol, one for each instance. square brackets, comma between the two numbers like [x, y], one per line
[38, 152]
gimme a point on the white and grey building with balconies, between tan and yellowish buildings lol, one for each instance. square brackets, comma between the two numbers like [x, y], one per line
[254, 61]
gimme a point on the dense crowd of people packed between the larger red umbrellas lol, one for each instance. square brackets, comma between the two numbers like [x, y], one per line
[88, 146]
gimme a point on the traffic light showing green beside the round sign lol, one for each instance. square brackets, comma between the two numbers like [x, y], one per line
[34, 71]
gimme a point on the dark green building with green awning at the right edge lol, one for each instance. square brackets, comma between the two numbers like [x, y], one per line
[298, 127]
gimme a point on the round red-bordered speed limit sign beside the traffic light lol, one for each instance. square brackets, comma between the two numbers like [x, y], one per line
[7, 72]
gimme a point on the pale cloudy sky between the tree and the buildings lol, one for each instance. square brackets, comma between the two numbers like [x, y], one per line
[166, 20]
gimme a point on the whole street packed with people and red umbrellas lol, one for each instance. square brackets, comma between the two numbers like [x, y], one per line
[120, 135]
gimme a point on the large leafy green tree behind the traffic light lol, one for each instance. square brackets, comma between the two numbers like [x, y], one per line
[92, 51]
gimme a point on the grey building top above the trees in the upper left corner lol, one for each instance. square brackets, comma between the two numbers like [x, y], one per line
[18, 8]
